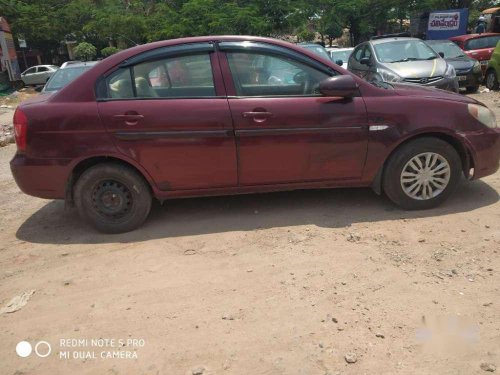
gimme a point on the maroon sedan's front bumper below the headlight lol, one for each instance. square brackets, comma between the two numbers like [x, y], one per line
[485, 147]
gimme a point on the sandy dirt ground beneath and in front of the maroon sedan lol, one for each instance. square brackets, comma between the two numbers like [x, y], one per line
[293, 283]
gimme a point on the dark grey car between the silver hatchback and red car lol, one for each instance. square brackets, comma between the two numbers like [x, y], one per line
[469, 73]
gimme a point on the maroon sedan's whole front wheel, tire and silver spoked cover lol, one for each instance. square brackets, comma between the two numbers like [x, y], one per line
[422, 173]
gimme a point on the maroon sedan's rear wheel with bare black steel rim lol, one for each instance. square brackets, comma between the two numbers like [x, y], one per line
[113, 198]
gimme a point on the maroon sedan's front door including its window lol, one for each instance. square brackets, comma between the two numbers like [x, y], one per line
[286, 131]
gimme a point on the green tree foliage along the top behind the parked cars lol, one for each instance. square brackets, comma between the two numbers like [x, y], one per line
[124, 23]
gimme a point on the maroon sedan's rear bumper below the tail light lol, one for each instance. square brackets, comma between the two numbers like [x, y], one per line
[43, 178]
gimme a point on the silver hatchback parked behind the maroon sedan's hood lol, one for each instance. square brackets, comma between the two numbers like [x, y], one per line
[402, 59]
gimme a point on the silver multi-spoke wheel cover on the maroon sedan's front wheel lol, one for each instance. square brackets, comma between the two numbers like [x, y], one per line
[425, 176]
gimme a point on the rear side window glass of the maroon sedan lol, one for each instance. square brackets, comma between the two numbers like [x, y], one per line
[173, 77]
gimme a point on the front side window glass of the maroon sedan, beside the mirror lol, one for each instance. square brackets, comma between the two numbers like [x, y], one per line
[257, 74]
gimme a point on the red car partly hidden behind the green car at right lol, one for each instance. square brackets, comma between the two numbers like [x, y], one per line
[478, 46]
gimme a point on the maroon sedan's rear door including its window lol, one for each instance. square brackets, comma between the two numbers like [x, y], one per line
[175, 119]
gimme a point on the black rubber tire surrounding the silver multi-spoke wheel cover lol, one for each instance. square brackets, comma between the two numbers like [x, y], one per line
[392, 184]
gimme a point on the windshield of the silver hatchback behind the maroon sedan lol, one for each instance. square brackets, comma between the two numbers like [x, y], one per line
[404, 50]
